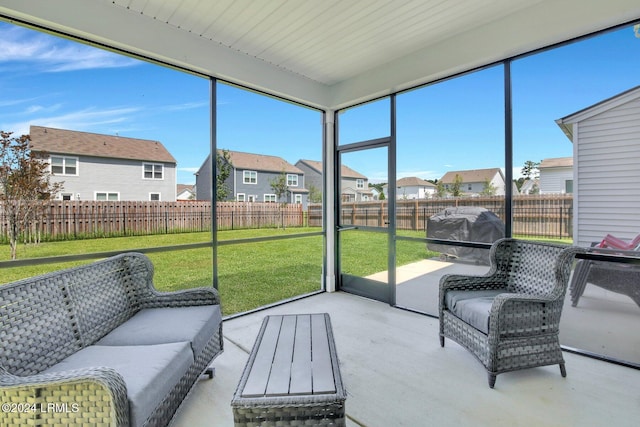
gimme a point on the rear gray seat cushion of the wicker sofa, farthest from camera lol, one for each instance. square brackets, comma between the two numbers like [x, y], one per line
[195, 324]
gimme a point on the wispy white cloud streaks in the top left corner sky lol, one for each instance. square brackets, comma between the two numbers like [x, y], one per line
[51, 54]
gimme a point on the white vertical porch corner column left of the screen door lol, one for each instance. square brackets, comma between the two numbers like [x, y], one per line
[329, 201]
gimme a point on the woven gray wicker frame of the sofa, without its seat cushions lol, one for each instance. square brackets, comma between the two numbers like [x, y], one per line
[47, 318]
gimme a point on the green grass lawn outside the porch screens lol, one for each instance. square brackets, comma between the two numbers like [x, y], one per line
[250, 275]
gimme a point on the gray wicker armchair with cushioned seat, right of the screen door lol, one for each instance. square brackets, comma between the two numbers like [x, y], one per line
[509, 317]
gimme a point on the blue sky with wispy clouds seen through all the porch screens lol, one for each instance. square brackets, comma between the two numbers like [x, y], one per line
[453, 125]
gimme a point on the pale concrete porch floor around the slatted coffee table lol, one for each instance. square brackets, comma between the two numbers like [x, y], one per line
[397, 374]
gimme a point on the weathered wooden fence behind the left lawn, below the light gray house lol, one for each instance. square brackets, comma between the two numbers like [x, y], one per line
[76, 219]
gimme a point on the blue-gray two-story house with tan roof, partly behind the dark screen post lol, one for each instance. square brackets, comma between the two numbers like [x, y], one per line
[251, 179]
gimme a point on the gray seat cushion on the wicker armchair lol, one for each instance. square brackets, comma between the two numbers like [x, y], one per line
[473, 307]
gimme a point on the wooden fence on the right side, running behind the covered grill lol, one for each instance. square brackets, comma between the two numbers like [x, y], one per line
[533, 215]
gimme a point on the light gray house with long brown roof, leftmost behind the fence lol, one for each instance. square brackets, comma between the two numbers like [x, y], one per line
[93, 166]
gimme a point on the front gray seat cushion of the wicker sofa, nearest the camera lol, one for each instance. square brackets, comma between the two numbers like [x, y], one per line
[149, 371]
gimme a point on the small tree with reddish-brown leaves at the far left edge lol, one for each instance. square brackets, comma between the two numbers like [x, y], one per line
[24, 185]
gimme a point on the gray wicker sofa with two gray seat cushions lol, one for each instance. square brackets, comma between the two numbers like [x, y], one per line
[98, 345]
